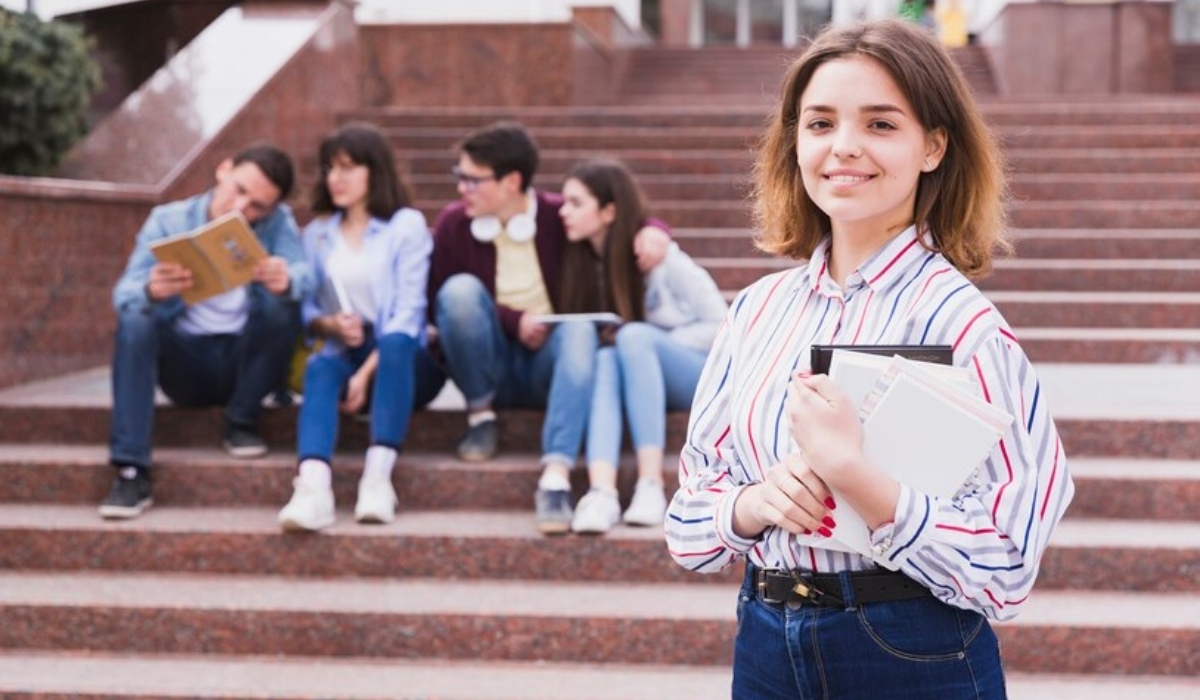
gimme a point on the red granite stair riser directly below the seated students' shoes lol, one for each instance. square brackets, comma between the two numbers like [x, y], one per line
[568, 559]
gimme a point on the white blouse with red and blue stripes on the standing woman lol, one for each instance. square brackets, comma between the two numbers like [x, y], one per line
[980, 551]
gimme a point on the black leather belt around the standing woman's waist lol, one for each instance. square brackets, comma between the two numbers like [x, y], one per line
[874, 587]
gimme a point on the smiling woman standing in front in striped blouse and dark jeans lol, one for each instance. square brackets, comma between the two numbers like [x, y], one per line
[879, 176]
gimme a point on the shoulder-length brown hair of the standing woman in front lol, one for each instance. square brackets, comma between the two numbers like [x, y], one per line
[962, 202]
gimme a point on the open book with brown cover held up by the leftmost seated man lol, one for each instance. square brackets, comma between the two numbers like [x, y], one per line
[221, 256]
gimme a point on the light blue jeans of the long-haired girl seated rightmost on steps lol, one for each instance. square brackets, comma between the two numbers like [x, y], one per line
[650, 374]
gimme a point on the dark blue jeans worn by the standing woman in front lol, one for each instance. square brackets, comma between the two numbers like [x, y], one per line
[908, 650]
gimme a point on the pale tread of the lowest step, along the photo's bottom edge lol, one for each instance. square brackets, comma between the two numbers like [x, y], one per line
[91, 677]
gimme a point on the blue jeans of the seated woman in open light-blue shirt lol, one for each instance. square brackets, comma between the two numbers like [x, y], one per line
[392, 396]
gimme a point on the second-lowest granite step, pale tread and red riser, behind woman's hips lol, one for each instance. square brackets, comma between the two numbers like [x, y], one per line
[524, 621]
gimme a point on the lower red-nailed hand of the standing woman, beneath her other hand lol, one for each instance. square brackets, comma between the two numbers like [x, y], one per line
[793, 498]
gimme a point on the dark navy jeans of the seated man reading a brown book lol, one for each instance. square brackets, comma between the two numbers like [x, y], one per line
[233, 370]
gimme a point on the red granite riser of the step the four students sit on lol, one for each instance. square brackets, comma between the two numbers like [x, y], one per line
[521, 432]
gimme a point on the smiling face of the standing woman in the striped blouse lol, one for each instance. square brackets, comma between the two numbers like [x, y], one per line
[861, 148]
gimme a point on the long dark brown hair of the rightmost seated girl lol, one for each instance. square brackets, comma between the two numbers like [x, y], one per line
[620, 286]
